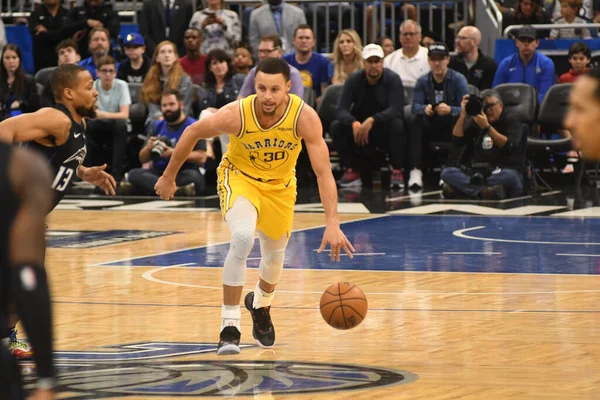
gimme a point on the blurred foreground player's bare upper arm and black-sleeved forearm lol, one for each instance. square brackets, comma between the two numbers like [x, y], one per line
[31, 180]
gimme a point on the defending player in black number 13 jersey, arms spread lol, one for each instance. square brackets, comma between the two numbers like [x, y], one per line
[59, 133]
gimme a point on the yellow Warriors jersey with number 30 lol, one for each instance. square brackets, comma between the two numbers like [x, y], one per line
[266, 154]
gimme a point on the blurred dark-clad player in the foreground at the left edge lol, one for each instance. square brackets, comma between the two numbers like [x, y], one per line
[25, 186]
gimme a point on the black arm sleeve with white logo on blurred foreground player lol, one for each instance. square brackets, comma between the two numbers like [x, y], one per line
[32, 300]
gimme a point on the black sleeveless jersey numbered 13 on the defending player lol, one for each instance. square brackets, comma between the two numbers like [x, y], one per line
[66, 158]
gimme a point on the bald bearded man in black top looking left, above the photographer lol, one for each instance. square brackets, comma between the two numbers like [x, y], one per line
[478, 68]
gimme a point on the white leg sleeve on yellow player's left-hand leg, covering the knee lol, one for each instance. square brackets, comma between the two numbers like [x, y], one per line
[241, 219]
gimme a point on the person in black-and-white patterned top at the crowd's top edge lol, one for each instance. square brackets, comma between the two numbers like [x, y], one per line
[221, 28]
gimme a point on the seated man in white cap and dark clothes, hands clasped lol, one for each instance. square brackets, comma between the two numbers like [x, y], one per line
[370, 116]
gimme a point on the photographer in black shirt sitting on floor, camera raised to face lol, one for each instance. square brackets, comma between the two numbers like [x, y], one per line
[490, 140]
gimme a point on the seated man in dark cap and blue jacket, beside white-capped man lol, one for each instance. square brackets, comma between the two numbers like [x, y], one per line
[436, 103]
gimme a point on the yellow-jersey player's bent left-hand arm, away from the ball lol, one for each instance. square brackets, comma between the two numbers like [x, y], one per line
[225, 121]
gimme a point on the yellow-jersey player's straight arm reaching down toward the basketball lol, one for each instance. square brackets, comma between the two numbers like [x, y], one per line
[310, 129]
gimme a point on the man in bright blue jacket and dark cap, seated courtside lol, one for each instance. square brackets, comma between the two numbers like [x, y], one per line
[527, 65]
